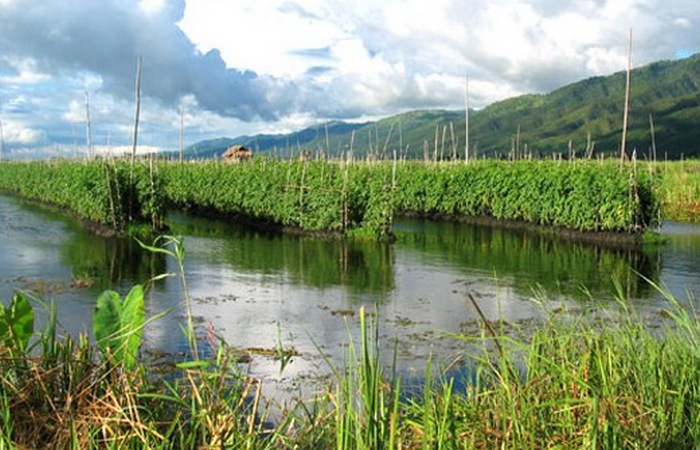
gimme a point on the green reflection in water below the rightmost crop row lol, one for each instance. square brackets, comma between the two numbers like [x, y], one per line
[530, 258]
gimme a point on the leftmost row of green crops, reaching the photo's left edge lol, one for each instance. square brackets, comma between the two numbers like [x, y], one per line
[115, 194]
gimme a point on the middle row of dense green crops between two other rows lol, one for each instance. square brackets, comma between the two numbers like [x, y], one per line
[308, 195]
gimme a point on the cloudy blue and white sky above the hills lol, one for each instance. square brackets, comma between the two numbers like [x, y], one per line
[213, 68]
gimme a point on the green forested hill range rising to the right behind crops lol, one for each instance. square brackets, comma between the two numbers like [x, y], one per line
[587, 114]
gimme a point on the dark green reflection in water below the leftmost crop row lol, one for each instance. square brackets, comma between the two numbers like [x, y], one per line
[104, 262]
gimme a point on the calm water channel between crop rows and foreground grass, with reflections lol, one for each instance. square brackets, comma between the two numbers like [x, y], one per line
[256, 289]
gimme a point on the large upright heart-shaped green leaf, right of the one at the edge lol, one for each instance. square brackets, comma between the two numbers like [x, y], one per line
[118, 325]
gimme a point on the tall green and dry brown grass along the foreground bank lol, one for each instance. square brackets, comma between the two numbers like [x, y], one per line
[575, 382]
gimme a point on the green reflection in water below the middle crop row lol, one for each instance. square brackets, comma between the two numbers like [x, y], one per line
[360, 265]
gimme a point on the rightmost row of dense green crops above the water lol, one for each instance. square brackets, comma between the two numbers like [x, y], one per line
[585, 196]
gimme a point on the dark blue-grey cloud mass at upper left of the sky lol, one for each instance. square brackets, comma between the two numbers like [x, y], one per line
[108, 37]
